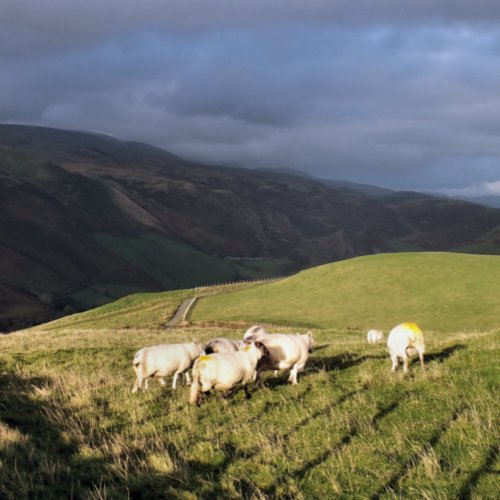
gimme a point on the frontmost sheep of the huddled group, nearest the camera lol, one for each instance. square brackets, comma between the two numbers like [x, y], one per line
[223, 371]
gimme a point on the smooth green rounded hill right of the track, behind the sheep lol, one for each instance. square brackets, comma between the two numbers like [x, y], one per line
[440, 291]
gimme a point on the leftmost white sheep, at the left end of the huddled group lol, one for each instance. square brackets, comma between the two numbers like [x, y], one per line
[163, 360]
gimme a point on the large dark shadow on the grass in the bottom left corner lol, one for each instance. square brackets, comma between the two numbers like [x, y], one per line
[46, 462]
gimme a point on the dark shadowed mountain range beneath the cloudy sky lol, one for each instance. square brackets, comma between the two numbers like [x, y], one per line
[86, 218]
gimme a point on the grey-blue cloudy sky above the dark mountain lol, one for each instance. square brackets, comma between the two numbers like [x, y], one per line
[403, 94]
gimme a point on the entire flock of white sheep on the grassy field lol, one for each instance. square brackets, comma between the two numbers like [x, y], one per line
[224, 364]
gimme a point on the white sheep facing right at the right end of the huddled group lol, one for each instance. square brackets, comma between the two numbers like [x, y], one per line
[286, 352]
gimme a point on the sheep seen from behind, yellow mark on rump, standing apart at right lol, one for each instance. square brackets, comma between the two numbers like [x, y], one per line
[403, 341]
